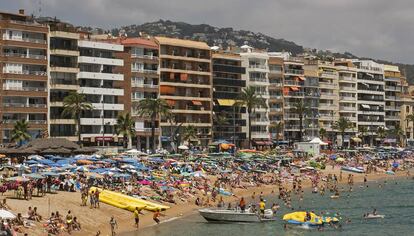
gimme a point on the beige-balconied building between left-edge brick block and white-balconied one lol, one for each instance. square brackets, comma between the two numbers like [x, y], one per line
[63, 77]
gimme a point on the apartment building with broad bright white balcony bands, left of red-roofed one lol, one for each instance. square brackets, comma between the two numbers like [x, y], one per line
[103, 87]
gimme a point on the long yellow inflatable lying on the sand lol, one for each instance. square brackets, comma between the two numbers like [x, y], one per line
[126, 202]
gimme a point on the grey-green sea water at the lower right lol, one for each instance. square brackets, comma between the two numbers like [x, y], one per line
[394, 199]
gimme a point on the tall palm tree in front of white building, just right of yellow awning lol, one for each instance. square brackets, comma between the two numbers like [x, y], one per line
[249, 99]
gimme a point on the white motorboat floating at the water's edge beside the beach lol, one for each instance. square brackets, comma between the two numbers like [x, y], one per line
[224, 215]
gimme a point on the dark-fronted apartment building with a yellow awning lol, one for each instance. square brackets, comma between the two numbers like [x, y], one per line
[227, 86]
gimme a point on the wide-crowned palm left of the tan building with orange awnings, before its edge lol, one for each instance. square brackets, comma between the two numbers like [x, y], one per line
[153, 108]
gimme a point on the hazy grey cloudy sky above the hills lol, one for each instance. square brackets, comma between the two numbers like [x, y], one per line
[381, 29]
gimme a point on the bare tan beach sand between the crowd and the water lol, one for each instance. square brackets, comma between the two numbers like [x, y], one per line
[93, 220]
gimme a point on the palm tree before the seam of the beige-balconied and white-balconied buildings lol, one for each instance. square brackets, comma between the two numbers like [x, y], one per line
[74, 104]
